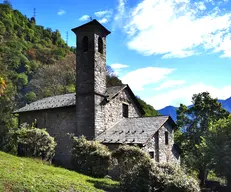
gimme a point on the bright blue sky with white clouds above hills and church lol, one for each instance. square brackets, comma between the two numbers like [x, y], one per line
[166, 50]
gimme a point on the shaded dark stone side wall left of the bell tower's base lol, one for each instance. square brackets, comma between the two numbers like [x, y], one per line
[58, 123]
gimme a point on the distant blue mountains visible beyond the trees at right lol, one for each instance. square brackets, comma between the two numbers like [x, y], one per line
[171, 110]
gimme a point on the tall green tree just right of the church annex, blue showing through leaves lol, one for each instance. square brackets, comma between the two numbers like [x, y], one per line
[193, 123]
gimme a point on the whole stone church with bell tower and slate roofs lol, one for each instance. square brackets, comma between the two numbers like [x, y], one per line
[110, 115]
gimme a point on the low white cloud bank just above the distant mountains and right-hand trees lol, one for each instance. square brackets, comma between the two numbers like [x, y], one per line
[184, 95]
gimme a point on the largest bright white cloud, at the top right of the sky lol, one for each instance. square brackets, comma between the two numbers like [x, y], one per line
[176, 28]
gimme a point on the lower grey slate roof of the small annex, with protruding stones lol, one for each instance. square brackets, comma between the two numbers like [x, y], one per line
[133, 130]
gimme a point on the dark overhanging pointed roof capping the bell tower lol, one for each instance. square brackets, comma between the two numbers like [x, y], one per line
[93, 25]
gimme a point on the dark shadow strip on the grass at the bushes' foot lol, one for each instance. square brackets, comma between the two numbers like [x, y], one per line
[105, 186]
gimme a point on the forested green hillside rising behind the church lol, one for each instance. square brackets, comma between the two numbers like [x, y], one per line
[35, 62]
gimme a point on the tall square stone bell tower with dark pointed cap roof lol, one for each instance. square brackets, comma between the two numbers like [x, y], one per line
[90, 78]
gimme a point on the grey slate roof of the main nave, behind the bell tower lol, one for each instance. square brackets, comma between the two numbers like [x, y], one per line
[69, 100]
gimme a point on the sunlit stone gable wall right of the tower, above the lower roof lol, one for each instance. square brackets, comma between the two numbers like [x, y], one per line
[114, 112]
